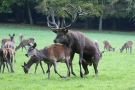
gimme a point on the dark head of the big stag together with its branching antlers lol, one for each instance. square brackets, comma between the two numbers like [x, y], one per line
[61, 29]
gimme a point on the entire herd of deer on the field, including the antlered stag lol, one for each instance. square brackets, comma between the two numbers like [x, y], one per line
[71, 42]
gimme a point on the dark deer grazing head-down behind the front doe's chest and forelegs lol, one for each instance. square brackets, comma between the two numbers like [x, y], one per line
[31, 61]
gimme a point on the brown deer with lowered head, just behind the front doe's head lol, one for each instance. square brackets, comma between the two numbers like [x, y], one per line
[24, 43]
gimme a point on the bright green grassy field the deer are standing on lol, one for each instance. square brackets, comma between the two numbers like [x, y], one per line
[116, 70]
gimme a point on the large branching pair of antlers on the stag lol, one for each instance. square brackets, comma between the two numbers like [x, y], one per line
[52, 25]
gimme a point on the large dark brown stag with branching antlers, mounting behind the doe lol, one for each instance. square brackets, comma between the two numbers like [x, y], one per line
[75, 40]
